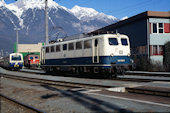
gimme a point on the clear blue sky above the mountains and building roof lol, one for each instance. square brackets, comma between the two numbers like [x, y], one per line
[117, 8]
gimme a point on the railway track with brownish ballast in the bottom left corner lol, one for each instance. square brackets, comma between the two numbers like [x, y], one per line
[10, 105]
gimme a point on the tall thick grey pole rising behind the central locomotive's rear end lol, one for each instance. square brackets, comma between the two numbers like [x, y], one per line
[46, 22]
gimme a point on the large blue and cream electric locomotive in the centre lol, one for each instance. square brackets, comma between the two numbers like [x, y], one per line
[106, 54]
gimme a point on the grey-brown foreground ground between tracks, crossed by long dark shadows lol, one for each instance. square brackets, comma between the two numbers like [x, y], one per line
[53, 99]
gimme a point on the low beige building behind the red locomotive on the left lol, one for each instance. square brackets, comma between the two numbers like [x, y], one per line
[26, 49]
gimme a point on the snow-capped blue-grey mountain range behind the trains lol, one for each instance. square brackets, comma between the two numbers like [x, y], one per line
[28, 15]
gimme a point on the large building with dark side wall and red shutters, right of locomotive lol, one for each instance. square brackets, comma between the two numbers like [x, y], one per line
[148, 33]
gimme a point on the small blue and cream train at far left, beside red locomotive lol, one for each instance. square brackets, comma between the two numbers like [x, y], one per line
[14, 61]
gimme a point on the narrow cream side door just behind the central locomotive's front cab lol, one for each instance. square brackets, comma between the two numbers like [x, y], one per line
[95, 51]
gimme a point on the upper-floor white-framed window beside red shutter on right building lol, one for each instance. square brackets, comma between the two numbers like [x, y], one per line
[157, 28]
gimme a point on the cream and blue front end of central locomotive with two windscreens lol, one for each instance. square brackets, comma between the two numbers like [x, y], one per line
[119, 50]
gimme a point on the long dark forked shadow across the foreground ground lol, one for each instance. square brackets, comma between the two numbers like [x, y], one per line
[93, 104]
